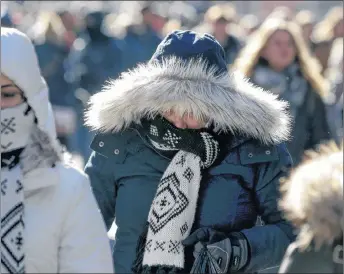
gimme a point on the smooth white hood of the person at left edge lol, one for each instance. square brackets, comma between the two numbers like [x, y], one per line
[20, 64]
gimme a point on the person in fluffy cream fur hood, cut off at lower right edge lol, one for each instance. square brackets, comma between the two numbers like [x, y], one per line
[313, 201]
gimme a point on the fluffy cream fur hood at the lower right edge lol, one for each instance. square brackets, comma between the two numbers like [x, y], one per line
[312, 197]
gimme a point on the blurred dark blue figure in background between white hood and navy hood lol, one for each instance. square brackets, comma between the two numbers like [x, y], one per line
[94, 57]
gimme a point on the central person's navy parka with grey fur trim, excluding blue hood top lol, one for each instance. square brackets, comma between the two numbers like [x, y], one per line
[125, 170]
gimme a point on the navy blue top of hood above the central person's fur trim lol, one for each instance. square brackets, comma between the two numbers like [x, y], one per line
[188, 45]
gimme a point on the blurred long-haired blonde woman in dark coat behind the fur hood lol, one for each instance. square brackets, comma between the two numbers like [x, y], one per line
[277, 59]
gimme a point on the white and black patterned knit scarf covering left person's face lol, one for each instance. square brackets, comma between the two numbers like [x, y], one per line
[16, 124]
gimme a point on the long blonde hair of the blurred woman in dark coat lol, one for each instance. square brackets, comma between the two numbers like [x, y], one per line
[250, 54]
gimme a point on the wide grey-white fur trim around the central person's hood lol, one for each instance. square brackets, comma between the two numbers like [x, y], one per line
[229, 102]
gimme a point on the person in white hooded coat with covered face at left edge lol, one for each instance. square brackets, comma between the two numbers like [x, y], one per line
[50, 221]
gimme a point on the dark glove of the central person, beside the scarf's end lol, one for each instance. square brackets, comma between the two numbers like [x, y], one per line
[230, 252]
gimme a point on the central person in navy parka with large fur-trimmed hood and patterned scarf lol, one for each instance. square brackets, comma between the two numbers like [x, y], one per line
[186, 153]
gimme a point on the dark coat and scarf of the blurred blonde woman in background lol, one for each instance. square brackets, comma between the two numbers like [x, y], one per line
[310, 126]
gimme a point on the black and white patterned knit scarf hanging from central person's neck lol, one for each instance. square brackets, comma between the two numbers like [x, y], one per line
[173, 208]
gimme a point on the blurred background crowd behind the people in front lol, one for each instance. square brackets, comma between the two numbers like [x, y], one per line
[81, 45]
